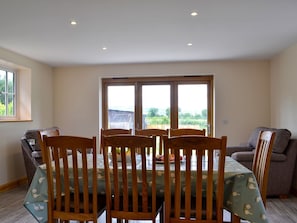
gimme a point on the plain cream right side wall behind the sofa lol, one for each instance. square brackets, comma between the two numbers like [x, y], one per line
[284, 93]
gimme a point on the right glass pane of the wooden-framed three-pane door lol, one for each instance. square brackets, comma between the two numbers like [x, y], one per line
[192, 106]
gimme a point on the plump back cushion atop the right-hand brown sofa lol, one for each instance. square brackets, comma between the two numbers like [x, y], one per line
[281, 140]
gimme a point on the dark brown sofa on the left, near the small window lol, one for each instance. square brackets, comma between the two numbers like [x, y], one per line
[32, 147]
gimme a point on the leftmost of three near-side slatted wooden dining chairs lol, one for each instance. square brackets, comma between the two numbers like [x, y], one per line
[72, 179]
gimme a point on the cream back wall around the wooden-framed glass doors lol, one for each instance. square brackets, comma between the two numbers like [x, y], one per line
[242, 94]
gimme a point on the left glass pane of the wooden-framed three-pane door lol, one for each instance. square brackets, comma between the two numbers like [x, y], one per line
[121, 106]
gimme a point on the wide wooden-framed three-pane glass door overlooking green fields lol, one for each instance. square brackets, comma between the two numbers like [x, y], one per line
[171, 102]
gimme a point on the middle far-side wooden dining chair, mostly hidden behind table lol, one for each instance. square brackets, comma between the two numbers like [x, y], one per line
[158, 133]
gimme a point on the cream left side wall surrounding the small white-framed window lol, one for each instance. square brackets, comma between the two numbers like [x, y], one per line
[11, 160]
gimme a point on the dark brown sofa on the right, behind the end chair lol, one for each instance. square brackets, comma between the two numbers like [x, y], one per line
[282, 160]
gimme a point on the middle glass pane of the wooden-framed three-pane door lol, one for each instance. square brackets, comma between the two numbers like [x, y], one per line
[156, 106]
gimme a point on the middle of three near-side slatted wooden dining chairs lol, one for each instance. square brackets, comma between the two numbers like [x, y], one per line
[131, 183]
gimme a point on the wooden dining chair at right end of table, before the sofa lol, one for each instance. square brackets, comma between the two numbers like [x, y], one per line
[261, 163]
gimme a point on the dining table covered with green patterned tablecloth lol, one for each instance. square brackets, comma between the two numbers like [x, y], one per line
[241, 193]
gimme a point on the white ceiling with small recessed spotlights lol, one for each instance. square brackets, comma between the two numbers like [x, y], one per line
[140, 31]
